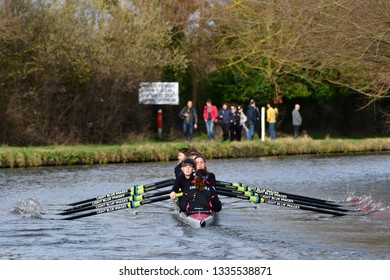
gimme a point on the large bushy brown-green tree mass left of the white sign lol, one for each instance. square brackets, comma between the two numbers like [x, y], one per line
[76, 67]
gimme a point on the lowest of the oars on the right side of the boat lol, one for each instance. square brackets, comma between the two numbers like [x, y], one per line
[262, 199]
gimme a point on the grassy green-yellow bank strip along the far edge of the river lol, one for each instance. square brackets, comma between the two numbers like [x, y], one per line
[11, 157]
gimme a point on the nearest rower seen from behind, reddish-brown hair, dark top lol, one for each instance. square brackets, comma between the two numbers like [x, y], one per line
[200, 195]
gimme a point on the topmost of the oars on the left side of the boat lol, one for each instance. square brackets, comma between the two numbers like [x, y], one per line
[140, 189]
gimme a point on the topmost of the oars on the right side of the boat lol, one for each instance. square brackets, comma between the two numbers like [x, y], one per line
[242, 187]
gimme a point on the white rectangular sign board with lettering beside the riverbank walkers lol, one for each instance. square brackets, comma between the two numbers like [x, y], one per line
[159, 93]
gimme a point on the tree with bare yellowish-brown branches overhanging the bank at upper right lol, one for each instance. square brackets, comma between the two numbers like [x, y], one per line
[342, 43]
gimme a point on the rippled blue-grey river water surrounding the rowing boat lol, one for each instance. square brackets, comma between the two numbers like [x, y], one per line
[242, 231]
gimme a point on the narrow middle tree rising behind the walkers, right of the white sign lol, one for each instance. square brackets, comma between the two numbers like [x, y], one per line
[194, 32]
